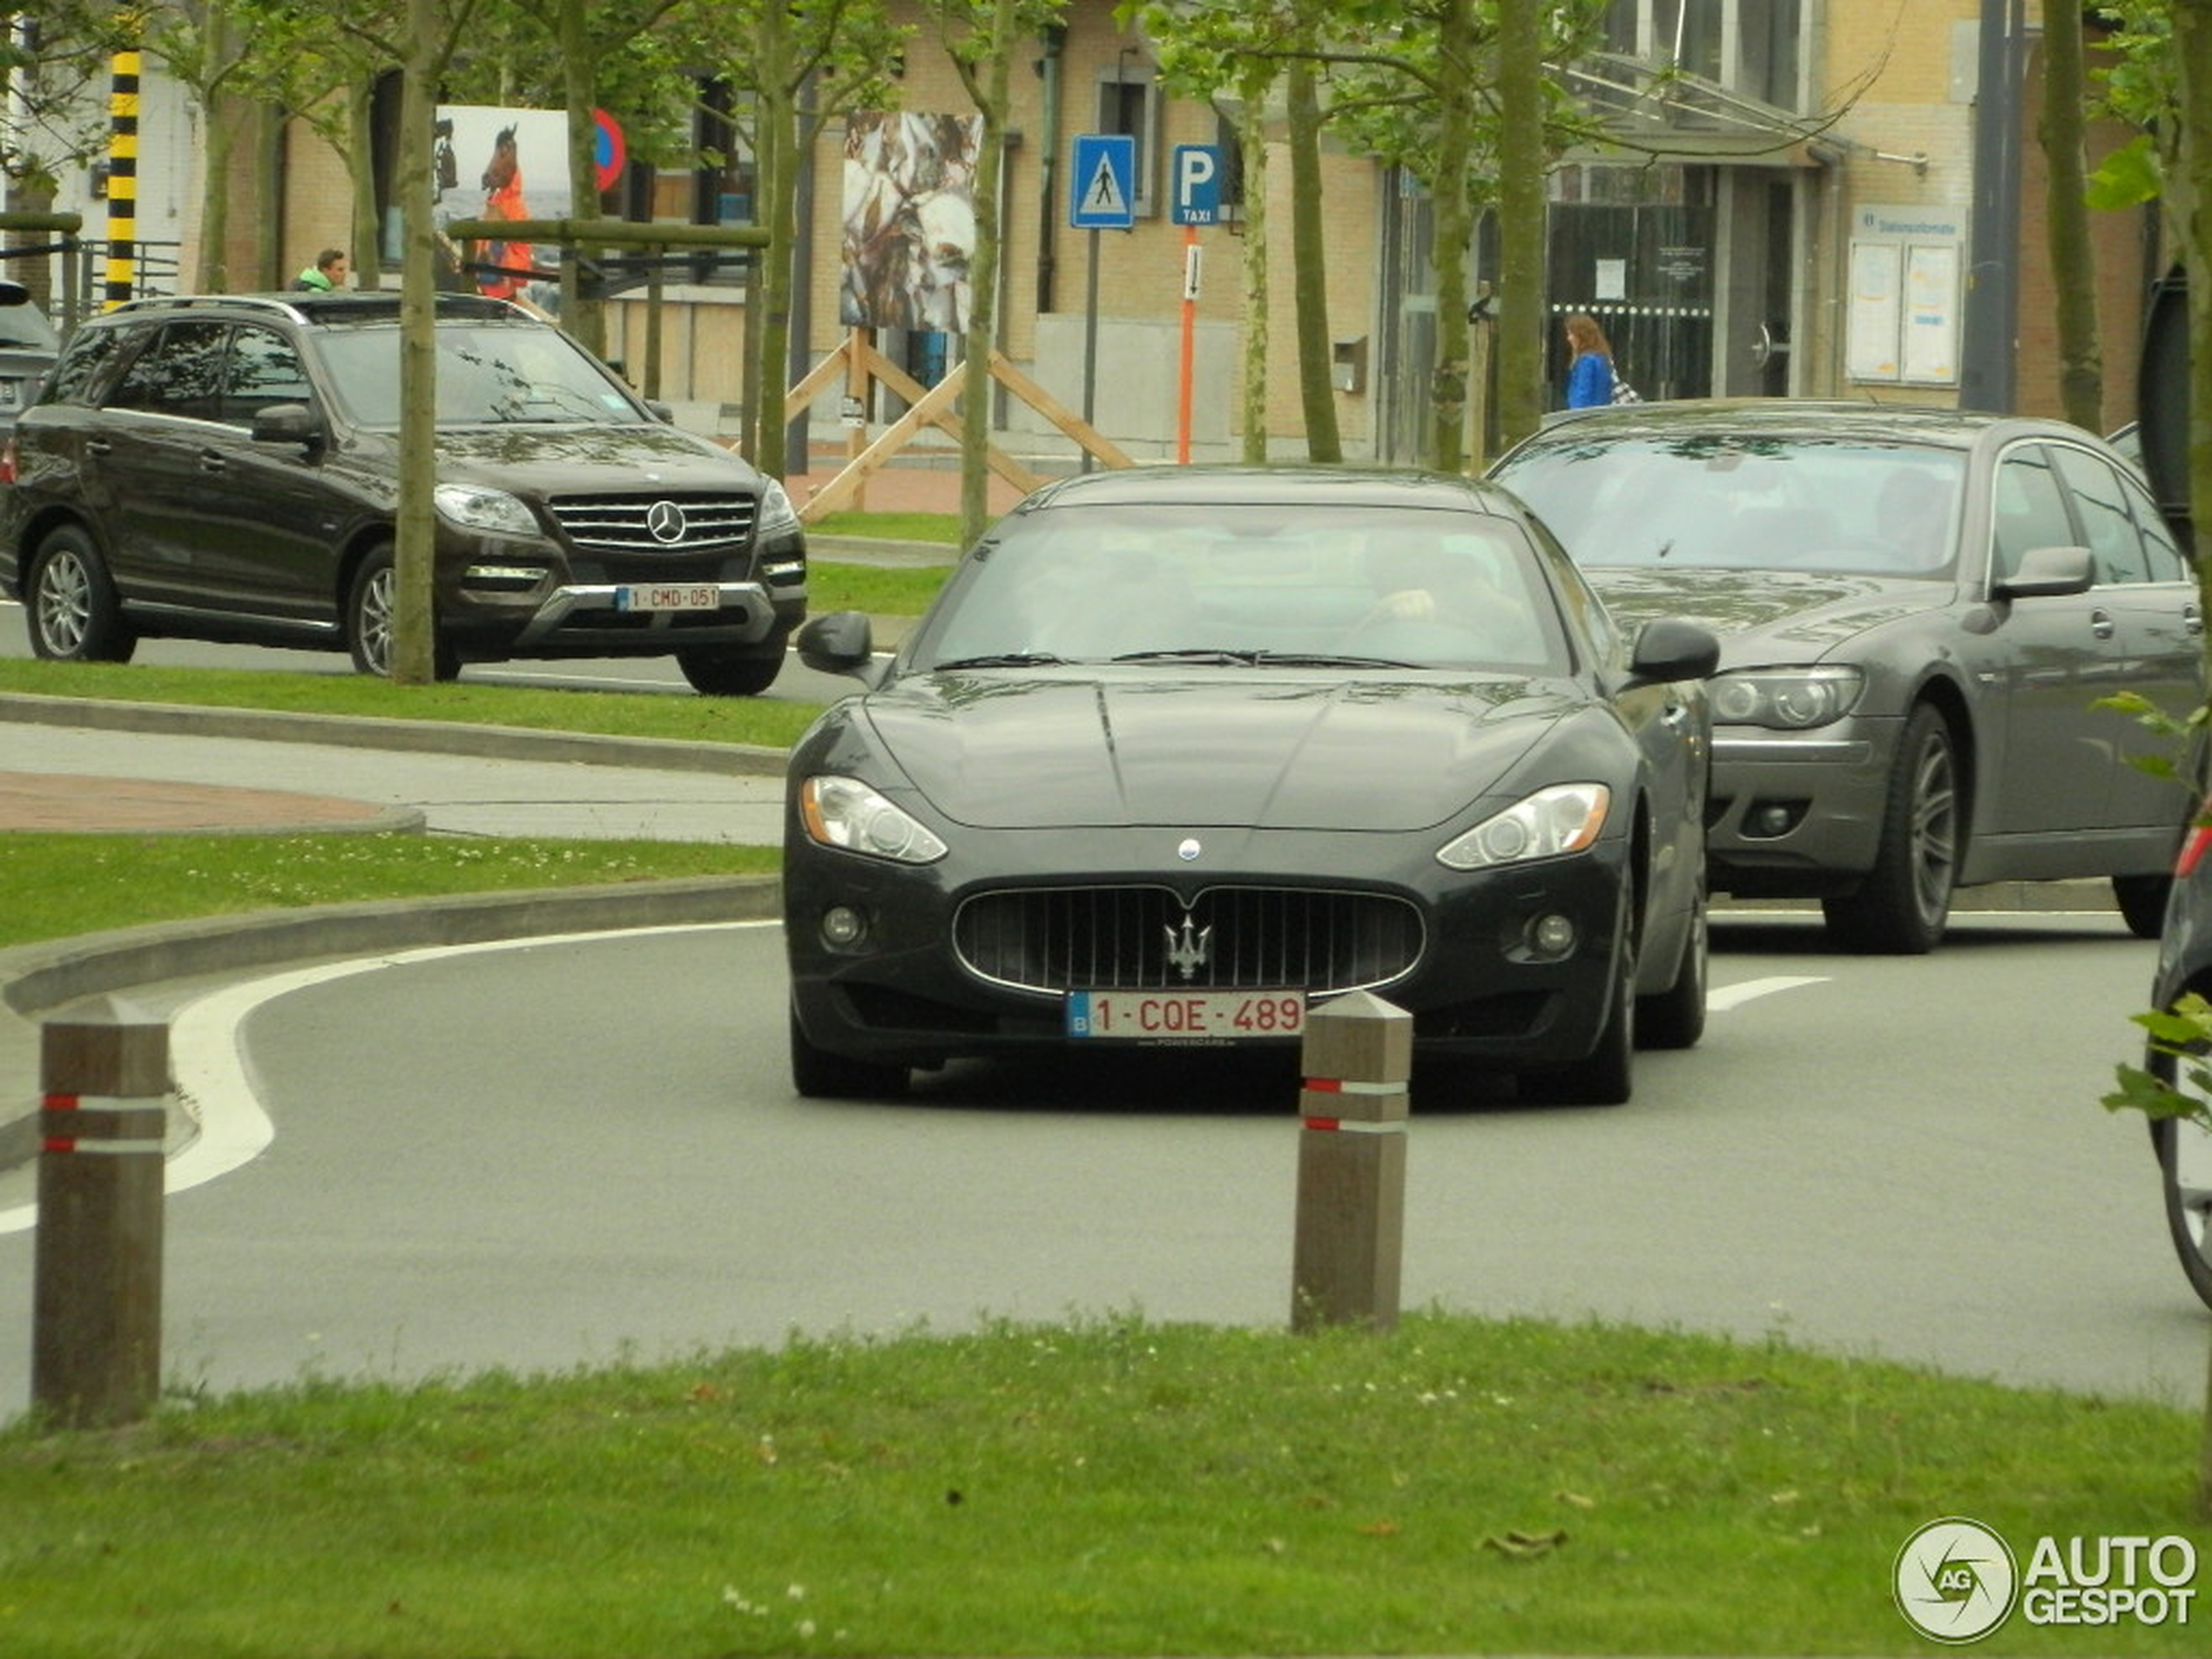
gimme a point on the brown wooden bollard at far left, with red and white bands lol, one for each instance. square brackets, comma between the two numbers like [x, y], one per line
[96, 1306]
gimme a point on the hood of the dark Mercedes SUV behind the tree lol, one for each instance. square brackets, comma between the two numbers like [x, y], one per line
[561, 461]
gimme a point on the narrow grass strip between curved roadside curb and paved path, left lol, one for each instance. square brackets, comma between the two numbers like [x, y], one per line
[59, 886]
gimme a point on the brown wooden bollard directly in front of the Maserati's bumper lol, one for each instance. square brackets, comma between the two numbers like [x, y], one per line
[1350, 1238]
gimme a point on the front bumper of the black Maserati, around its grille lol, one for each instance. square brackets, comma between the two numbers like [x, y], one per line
[1477, 985]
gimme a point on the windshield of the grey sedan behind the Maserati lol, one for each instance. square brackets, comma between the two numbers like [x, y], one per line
[1722, 501]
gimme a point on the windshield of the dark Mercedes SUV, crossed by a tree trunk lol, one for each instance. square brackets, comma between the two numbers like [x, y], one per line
[488, 377]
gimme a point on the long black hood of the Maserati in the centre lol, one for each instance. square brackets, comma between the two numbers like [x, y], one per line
[1273, 753]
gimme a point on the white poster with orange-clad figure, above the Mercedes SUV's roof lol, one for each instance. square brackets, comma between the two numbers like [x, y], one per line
[501, 165]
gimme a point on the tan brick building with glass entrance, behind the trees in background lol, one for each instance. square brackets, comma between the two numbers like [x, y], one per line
[1795, 211]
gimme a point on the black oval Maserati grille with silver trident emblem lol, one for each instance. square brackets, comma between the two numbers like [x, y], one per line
[1136, 939]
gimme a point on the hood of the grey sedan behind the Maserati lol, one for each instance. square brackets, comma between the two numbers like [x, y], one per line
[1808, 612]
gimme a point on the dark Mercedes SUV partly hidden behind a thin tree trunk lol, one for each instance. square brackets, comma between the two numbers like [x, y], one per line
[227, 468]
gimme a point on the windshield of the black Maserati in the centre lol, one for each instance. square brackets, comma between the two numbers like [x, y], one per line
[1251, 587]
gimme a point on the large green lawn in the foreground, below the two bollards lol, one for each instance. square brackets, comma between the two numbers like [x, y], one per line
[1098, 1488]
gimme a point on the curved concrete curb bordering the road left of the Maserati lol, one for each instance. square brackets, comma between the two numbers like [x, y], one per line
[41, 979]
